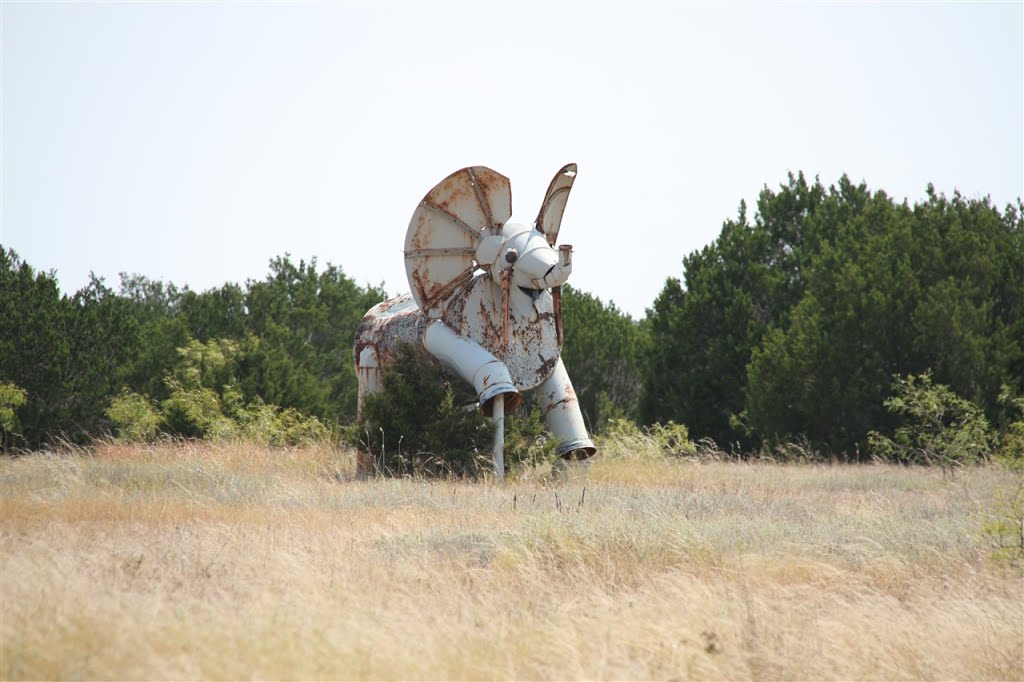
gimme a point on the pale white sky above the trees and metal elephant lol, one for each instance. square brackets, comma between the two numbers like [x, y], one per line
[193, 142]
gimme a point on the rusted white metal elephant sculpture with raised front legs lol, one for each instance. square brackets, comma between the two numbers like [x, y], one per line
[486, 303]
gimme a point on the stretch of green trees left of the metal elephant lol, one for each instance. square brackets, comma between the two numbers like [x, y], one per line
[280, 348]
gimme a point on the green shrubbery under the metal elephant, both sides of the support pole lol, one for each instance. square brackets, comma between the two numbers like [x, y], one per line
[422, 422]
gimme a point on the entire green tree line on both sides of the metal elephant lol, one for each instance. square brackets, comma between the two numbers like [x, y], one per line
[796, 324]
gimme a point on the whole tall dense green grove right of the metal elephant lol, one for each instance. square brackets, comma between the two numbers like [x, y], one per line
[792, 326]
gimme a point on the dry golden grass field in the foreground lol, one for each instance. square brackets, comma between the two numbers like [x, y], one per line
[187, 561]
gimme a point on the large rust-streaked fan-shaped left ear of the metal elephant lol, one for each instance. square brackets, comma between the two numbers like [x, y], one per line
[441, 243]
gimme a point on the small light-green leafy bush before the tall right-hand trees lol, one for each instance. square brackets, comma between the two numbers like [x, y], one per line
[942, 428]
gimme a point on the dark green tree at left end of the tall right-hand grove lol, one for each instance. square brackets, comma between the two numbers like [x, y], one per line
[705, 329]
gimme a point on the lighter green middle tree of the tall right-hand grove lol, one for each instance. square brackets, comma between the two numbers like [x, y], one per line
[824, 370]
